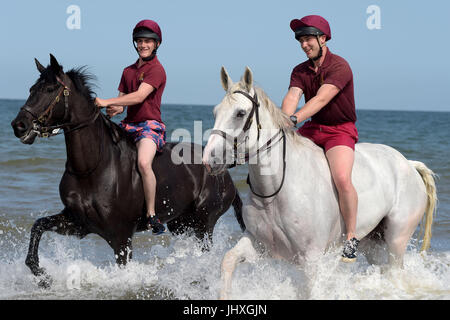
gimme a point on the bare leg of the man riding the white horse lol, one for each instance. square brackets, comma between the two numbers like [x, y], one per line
[340, 160]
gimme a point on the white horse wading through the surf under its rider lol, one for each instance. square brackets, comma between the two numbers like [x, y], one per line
[293, 208]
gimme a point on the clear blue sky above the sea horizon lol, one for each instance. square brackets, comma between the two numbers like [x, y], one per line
[401, 66]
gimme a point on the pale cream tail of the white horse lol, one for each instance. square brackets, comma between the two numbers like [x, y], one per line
[428, 179]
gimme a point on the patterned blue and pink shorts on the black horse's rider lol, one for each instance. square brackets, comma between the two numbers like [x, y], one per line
[151, 129]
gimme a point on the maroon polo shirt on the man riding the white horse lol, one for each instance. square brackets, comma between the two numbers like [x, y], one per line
[336, 71]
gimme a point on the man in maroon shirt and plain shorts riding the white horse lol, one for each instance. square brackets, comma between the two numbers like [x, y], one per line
[326, 80]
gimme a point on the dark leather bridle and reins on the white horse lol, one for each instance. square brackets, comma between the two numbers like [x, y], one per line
[242, 137]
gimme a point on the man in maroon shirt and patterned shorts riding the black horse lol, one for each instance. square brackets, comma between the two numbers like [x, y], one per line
[140, 89]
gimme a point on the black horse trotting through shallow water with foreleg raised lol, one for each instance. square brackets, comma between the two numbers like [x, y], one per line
[101, 188]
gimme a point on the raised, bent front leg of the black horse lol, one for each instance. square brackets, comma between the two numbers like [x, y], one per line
[61, 223]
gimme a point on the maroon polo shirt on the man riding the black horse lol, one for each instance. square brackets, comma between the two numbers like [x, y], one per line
[153, 73]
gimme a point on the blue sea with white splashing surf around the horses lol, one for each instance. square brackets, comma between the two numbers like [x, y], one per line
[172, 267]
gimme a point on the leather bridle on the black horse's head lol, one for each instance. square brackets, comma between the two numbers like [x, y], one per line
[39, 122]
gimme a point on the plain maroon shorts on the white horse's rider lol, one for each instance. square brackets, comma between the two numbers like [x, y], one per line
[327, 137]
